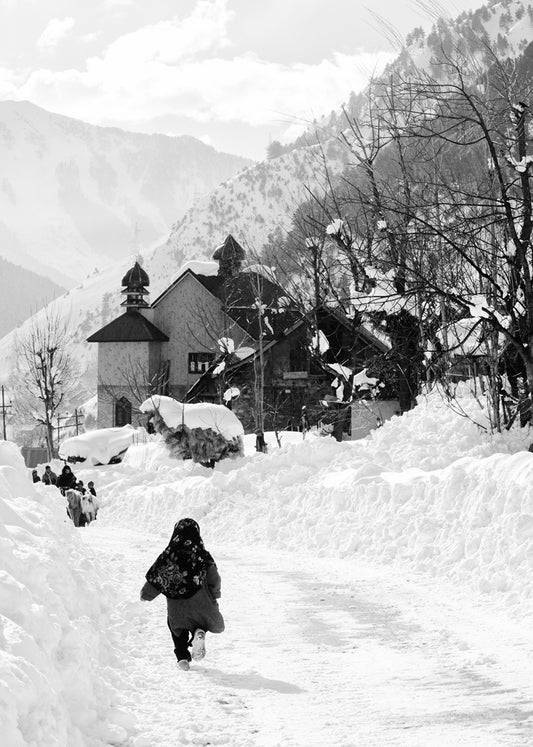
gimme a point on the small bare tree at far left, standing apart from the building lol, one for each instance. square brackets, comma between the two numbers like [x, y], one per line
[44, 375]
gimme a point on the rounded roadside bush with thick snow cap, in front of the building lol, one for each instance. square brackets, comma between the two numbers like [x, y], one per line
[203, 432]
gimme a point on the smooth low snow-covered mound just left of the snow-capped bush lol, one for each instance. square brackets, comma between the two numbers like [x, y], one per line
[99, 446]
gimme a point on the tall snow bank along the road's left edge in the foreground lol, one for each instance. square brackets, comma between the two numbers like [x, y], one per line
[57, 646]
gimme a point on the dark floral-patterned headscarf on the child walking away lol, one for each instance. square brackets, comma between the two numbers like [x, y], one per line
[180, 570]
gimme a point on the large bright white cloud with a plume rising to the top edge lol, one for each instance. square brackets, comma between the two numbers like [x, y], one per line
[177, 67]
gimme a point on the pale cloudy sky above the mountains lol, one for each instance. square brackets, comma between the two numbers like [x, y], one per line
[234, 73]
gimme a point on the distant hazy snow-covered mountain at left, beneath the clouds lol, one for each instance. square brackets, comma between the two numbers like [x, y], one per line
[71, 194]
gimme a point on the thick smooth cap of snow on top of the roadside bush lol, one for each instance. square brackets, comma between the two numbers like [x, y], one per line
[199, 415]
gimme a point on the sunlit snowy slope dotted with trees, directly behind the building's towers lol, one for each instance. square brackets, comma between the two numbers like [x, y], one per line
[251, 206]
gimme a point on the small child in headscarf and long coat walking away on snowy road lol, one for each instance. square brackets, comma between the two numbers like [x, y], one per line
[186, 574]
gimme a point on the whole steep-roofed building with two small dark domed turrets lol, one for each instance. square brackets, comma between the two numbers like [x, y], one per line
[199, 340]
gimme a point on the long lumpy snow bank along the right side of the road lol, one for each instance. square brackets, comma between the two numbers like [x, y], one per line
[430, 491]
